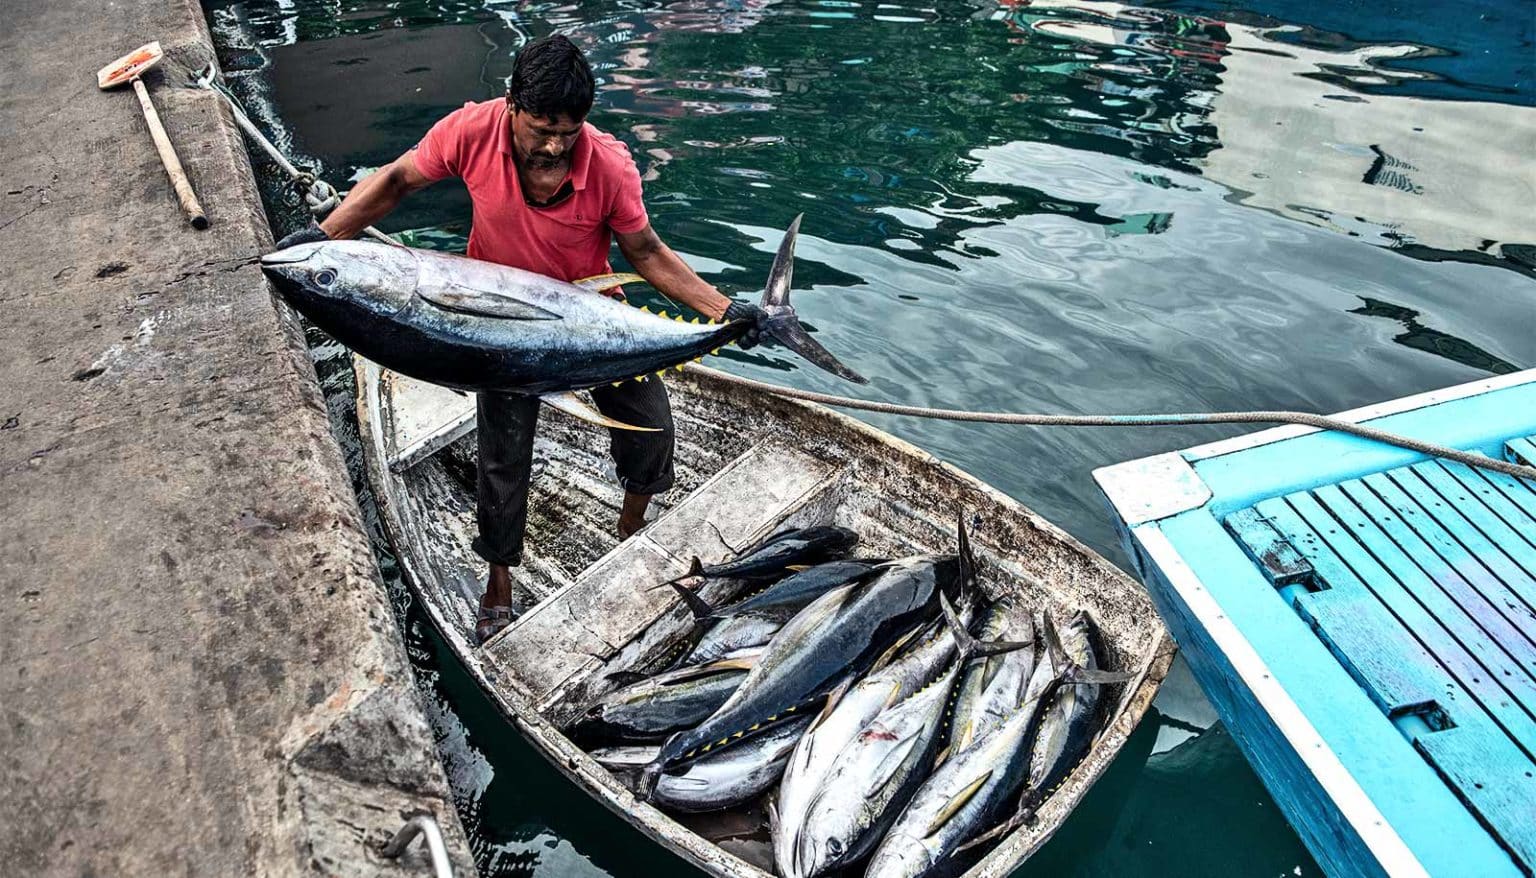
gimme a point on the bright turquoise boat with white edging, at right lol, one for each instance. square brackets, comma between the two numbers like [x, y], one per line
[1365, 622]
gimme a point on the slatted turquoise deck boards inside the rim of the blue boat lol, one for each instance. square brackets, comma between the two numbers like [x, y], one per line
[1422, 581]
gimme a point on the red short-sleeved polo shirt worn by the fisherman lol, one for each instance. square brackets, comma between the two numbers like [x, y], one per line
[568, 240]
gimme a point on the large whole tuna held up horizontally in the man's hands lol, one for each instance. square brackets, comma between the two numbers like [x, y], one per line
[480, 326]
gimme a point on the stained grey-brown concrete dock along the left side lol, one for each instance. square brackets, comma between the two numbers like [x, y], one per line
[199, 667]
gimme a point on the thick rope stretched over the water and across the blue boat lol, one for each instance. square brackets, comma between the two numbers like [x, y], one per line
[1179, 420]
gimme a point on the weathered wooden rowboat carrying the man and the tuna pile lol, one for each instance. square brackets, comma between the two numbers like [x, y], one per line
[749, 464]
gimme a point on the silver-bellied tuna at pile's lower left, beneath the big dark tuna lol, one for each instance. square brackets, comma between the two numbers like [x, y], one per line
[726, 779]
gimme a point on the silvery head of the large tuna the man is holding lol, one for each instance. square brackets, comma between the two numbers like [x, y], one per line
[354, 274]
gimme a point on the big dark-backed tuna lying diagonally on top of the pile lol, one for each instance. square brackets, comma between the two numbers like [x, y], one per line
[835, 638]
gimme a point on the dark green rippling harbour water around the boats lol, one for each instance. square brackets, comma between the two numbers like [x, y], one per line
[1053, 206]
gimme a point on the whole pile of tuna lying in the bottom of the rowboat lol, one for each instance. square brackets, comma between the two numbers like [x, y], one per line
[895, 715]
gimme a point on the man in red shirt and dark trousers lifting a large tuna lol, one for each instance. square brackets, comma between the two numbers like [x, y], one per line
[549, 194]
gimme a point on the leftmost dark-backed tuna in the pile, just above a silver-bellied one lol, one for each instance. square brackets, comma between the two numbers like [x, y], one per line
[652, 708]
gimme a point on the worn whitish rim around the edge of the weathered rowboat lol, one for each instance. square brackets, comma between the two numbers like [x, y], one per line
[663, 828]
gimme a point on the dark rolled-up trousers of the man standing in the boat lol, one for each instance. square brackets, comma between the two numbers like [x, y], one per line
[505, 427]
